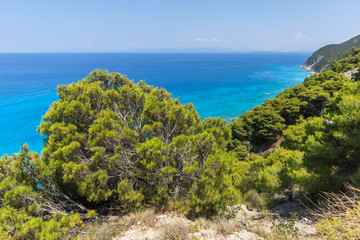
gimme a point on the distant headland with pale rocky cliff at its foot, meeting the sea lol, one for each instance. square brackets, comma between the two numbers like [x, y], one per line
[322, 58]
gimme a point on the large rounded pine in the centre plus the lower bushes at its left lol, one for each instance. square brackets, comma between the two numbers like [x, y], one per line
[113, 145]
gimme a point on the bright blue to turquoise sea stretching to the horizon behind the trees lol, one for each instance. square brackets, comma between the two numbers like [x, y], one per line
[219, 85]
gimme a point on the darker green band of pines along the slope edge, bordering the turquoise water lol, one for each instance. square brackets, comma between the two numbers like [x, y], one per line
[265, 123]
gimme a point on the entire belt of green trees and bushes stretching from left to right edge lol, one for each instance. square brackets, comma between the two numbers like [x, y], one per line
[112, 146]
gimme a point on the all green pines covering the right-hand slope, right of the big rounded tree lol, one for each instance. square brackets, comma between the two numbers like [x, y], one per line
[320, 128]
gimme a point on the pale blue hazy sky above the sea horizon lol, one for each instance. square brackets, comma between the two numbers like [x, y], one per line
[153, 25]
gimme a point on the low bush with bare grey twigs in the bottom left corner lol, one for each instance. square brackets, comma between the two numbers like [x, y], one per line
[30, 206]
